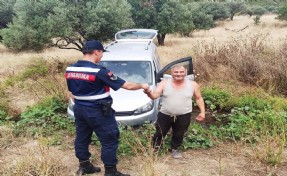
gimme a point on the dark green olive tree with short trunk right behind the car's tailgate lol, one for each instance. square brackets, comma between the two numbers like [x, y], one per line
[167, 16]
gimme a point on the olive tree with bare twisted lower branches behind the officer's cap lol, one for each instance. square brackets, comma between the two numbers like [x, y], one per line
[98, 19]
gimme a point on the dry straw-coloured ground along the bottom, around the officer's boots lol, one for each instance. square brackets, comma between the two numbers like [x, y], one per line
[223, 160]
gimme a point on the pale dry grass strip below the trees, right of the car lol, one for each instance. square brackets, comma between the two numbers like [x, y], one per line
[176, 47]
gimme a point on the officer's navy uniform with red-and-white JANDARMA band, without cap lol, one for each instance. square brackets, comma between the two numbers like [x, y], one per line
[90, 85]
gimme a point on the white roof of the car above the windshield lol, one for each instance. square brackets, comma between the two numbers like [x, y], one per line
[129, 51]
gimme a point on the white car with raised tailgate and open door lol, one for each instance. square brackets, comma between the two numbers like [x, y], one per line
[133, 57]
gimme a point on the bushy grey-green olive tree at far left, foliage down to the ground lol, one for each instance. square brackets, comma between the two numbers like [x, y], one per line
[29, 29]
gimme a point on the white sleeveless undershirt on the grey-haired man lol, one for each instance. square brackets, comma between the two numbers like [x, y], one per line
[177, 101]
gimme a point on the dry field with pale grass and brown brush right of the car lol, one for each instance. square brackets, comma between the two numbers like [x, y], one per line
[236, 51]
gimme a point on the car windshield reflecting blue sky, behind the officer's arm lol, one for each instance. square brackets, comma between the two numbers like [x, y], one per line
[132, 71]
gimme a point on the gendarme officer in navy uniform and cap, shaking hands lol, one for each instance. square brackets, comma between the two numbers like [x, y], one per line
[89, 84]
